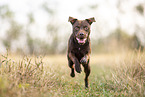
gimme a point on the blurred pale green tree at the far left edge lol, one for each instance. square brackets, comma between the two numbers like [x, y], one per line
[15, 29]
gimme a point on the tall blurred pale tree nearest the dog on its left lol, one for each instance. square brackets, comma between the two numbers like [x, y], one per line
[54, 38]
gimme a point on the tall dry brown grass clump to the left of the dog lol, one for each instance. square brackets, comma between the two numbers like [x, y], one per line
[26, 77]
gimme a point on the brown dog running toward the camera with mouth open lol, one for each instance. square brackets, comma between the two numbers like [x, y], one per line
[79, 46]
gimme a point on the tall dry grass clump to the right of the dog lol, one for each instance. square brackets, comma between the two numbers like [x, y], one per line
[129, 76]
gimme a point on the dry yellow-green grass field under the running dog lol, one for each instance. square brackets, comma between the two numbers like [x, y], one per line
[44, 76]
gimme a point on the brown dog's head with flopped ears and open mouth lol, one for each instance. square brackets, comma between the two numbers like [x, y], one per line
[81, 29]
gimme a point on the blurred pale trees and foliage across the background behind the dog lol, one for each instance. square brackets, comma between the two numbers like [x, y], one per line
[18, 38]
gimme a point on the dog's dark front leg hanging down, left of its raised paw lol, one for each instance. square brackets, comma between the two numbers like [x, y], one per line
[76, 62]
